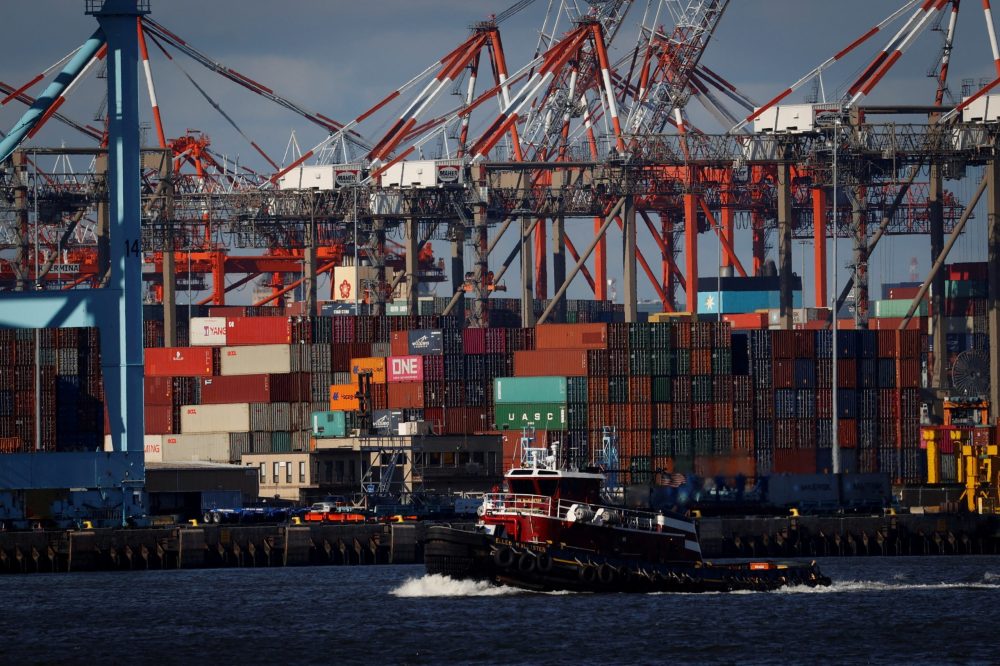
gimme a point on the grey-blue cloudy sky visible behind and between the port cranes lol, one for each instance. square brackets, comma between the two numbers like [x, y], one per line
[339, 58]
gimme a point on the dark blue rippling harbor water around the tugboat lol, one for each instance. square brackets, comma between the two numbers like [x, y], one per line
[879, 611]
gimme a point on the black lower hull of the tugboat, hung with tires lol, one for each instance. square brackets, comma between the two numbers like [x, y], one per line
[472, 555]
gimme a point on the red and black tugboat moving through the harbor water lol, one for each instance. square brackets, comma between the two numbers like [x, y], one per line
[550, 529]
